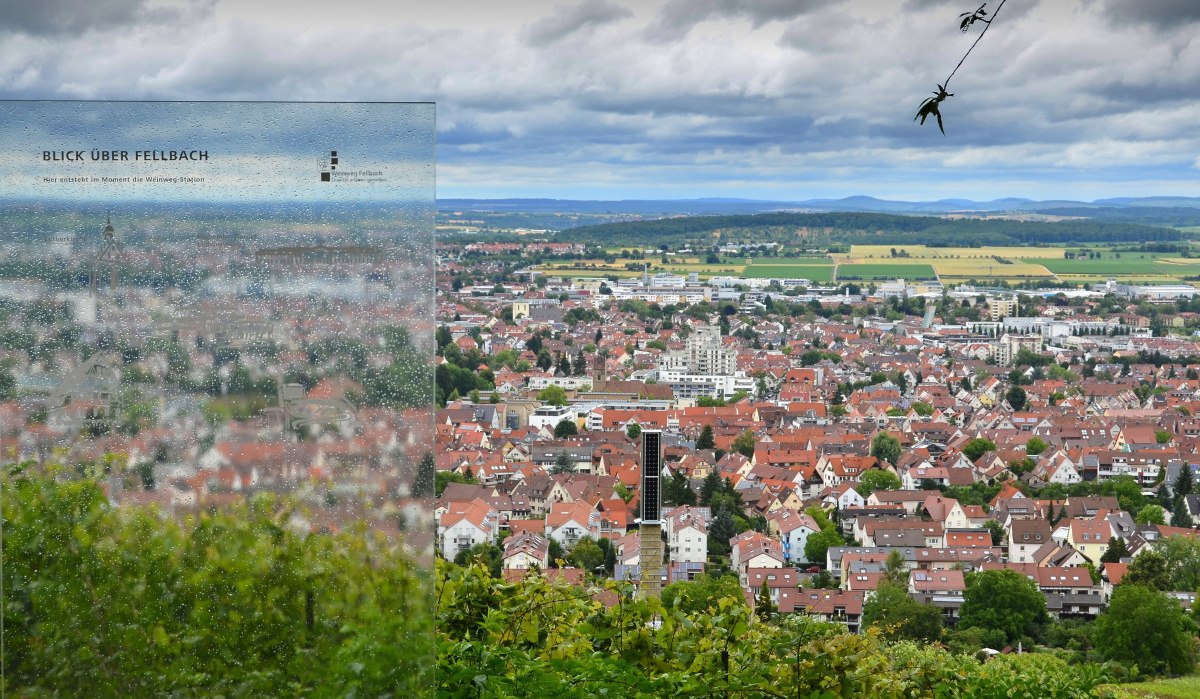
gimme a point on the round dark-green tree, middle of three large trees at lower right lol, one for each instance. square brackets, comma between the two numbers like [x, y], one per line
[1005, 601]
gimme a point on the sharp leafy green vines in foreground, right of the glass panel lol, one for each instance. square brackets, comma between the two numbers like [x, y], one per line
[545, 640]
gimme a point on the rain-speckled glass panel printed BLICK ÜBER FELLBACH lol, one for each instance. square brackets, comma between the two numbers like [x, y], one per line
[217, 332]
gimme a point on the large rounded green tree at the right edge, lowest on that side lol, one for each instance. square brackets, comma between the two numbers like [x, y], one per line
[1145, 628]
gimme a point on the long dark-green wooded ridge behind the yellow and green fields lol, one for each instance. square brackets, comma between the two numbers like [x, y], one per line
[857, 229]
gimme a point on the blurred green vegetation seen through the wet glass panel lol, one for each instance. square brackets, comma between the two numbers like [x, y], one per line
[104, 602]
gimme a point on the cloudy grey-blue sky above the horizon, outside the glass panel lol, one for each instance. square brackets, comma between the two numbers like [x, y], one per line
[655, 99]
